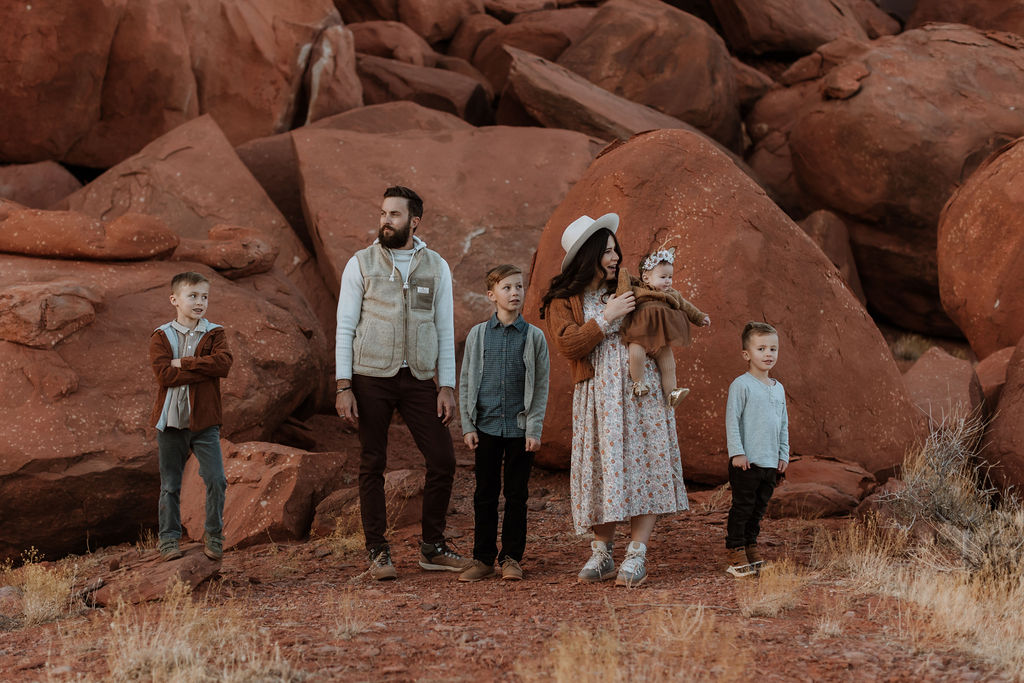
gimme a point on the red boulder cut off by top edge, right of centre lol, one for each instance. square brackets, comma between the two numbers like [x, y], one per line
[795, 27]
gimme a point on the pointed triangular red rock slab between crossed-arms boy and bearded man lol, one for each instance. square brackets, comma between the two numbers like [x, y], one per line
[193, 180]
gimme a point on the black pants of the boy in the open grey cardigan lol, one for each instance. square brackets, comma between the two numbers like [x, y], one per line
[490, 454]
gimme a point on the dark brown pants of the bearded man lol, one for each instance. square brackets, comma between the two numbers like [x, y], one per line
[416, 401]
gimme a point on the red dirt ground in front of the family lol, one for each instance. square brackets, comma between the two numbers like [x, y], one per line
[428, 626]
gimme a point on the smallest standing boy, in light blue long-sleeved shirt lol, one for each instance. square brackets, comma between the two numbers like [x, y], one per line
[758, 432]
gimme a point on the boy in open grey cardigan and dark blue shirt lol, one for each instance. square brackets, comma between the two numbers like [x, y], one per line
[503, 394]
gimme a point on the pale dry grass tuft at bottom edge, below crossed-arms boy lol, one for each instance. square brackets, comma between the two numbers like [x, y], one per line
[187, 641]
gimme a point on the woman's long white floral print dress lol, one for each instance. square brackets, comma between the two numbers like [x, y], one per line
[626, 458]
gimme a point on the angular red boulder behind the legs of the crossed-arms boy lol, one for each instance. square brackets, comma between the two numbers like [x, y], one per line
[273, 492]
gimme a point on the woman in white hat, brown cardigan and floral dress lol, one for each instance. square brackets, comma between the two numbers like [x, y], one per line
[626, 464]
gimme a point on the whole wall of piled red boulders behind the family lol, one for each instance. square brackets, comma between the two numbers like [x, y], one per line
[848, 170]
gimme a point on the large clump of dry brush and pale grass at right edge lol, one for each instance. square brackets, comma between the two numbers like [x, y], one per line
[949, 548]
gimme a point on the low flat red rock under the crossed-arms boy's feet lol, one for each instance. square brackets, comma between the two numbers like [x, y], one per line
[144, 578]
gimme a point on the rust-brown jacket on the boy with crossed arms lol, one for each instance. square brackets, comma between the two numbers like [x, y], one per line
[201, 372]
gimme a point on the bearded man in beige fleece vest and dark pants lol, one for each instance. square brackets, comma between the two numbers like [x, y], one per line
[396, 336]
